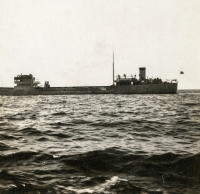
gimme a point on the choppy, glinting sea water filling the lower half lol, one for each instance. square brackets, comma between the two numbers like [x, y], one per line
[143, 144]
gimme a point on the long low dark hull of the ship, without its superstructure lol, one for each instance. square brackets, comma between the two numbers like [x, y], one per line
[169, 88]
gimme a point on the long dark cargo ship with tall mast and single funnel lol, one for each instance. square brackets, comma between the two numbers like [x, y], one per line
[27, 85]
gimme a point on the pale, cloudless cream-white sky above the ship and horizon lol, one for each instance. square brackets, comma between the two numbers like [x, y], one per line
[71, 42]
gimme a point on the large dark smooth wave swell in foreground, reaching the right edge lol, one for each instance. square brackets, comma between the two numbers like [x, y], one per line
[112, 160]
